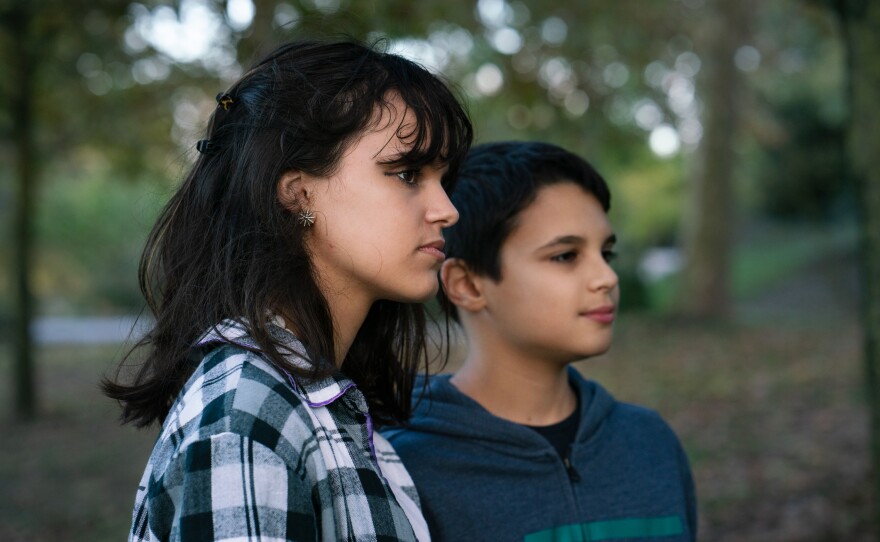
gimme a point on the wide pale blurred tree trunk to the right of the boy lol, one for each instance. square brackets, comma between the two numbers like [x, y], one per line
[707, 224]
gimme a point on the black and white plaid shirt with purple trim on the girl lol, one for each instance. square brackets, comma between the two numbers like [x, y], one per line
[247, 453]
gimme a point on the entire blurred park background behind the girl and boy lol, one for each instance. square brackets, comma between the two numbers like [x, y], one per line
[725, 128]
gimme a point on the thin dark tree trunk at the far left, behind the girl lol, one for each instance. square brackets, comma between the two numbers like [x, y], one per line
[23, 137]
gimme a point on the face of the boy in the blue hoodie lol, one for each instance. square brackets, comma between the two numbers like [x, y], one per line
[558, 295]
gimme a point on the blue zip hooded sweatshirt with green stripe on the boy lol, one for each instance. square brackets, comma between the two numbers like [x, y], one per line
[482, 478]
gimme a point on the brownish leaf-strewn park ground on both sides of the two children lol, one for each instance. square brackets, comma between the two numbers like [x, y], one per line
[770, 409]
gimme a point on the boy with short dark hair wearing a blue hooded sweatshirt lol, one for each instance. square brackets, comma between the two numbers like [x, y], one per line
[516, 445]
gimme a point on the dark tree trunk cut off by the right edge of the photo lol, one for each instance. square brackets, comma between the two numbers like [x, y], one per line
[861, 19]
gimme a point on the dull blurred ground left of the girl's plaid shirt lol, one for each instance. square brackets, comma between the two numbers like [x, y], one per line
[72, 473]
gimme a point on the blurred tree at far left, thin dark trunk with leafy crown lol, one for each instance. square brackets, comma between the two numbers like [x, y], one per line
[59, 61]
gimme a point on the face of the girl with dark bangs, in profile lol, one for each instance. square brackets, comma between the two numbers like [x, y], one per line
[378, 227]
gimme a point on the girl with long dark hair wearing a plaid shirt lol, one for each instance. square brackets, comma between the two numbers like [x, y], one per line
[283, 276]
